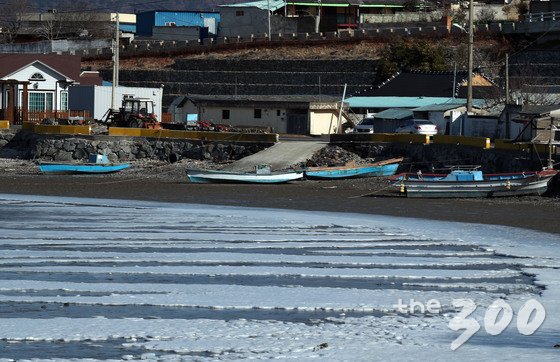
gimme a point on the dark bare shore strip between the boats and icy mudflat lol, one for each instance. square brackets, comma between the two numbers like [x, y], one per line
[158, 181]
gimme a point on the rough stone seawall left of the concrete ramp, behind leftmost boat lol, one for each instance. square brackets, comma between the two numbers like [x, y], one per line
[68, 148]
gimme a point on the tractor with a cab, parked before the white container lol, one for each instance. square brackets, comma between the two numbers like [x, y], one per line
[134, 113]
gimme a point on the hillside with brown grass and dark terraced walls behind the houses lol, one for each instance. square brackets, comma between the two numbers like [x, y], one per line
[276, 70]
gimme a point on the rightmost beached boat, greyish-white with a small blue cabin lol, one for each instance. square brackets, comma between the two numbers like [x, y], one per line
[473, 183]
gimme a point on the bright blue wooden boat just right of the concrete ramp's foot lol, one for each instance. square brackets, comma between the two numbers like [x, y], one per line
[381, 168]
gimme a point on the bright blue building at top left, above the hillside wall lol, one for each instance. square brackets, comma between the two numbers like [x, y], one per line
[145, 21]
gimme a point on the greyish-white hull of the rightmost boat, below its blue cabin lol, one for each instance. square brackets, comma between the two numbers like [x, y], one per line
[532, 185]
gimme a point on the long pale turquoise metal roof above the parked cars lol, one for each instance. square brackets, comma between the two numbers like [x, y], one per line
[403, 102]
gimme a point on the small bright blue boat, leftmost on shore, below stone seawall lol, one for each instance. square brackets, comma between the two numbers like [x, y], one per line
[97, 164]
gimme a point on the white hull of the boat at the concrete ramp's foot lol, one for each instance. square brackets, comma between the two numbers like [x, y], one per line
[206, 176]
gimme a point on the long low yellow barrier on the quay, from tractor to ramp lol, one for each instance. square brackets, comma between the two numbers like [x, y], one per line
[194, 135]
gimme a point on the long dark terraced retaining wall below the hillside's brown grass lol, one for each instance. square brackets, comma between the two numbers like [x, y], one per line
[254, 77]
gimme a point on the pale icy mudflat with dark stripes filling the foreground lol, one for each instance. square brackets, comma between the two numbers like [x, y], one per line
[111, 280]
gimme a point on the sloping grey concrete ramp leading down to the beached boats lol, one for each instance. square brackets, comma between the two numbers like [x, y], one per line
[280, 156]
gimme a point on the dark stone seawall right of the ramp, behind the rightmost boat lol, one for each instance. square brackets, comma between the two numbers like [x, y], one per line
[434, 156]
